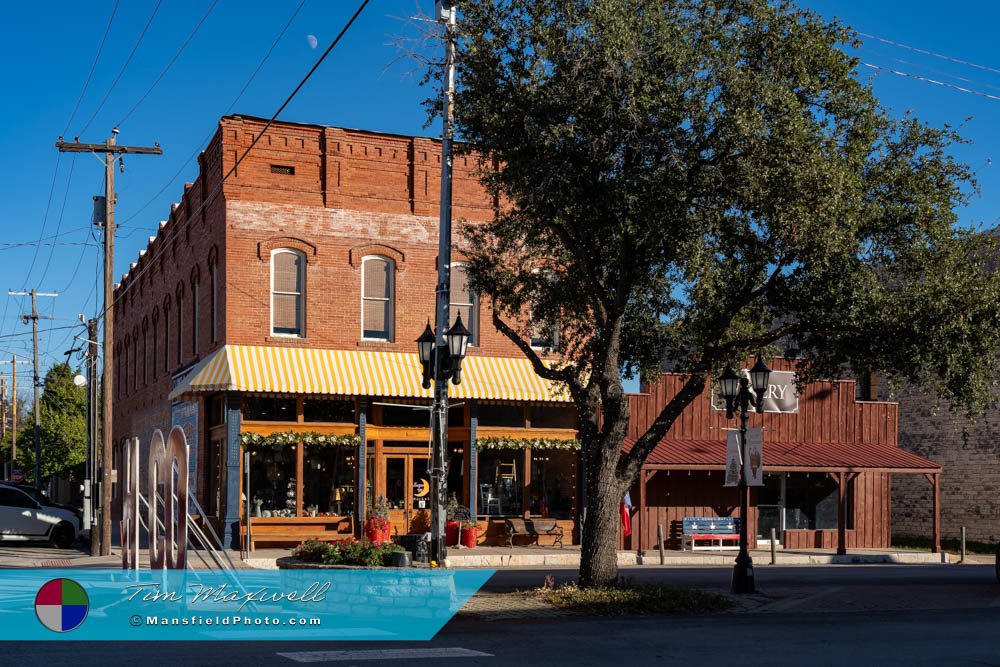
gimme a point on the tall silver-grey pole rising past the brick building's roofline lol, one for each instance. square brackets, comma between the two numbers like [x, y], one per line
[445, 14]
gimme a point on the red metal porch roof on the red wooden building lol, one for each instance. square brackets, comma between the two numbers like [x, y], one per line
[790, 457]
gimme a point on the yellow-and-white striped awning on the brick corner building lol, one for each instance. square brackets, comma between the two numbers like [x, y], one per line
[296, 370]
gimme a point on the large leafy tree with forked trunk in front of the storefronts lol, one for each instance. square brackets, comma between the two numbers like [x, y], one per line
[696, 180]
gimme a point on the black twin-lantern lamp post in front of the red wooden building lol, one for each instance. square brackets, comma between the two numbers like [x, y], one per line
[736, 391]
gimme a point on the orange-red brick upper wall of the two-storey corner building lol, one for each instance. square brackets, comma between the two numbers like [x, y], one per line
[334, 194]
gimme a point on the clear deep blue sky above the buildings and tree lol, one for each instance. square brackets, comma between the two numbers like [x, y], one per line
[49, 48]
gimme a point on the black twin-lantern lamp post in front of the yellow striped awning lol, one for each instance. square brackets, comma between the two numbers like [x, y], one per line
[445, 365]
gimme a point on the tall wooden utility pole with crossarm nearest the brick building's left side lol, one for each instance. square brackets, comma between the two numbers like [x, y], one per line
[109, 149]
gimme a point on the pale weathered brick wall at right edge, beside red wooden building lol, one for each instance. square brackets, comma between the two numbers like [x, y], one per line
[970, 455]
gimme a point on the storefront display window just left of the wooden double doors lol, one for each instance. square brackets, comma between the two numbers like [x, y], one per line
[329, 479]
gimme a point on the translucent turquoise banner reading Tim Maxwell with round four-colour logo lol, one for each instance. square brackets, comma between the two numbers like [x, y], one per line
[379, 604]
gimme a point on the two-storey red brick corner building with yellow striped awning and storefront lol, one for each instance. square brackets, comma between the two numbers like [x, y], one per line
[279, 318]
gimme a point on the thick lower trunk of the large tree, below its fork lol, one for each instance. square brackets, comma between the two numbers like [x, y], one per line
[599, 548]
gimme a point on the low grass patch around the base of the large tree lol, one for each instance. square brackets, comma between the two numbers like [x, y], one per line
[630, 599]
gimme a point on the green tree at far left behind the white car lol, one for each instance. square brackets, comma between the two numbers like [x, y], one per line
[63, 433]
